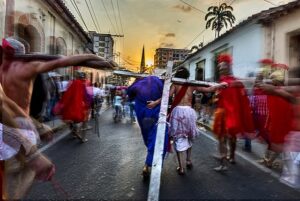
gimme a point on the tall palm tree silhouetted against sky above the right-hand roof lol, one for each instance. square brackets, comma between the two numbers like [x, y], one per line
[218, 17]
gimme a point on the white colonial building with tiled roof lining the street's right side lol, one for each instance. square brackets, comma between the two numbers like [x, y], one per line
[273, 33]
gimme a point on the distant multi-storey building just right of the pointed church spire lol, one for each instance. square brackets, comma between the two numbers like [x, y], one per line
[163, 55]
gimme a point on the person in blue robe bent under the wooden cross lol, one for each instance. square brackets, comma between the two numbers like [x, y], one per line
[147, 93]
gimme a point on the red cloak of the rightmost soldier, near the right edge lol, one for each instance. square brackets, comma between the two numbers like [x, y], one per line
[279, 120]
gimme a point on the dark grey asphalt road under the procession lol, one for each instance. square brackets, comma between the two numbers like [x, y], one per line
[110, 167]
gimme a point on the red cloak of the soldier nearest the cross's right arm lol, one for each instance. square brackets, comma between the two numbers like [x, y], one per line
[234, 100]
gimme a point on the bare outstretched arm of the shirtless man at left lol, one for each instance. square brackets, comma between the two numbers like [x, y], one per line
[43, 67]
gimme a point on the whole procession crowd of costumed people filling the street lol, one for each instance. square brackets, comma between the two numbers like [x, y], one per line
[269, 112]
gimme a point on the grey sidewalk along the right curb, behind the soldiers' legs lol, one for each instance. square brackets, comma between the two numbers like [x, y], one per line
[257, 148]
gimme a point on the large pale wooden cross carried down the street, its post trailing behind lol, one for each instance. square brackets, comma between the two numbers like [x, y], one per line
[154, 187]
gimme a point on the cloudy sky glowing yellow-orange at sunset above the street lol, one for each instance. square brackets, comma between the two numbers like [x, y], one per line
[157, 23]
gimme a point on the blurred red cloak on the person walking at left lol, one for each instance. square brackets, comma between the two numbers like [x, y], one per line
[75, 102]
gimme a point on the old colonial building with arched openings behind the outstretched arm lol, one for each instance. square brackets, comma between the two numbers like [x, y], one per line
[46, 26]
